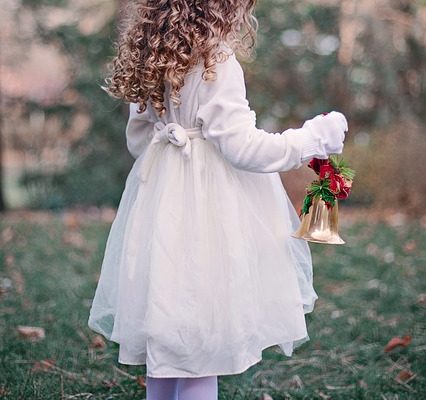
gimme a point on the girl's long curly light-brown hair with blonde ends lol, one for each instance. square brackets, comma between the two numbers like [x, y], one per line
[162, 40]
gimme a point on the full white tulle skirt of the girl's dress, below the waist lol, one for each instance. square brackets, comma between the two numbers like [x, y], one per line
[200, 273]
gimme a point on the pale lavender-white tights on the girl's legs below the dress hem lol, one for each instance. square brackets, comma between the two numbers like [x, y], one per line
[204, 388]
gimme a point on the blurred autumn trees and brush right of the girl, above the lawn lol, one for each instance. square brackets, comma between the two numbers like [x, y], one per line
[366, 59]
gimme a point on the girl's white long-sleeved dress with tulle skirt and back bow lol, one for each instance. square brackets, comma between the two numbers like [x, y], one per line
[200, 273]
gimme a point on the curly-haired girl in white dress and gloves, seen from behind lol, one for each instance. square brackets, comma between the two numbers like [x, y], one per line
[200, 273]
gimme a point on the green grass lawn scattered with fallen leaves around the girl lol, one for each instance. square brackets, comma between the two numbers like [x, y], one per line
[371, 289]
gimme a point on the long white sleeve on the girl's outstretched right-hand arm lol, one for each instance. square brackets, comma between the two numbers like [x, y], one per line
[227, 120]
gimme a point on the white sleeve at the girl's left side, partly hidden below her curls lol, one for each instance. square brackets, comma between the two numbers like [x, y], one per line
[138, 130]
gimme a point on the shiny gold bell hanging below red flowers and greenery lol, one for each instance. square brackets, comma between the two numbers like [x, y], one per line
[320, 225]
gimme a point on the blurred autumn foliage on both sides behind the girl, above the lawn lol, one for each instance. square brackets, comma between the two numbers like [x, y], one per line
[366, 59]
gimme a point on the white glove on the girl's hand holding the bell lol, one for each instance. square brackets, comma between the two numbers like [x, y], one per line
[324, 135]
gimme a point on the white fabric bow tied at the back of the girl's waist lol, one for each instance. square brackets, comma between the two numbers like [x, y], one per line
[173, 133]
